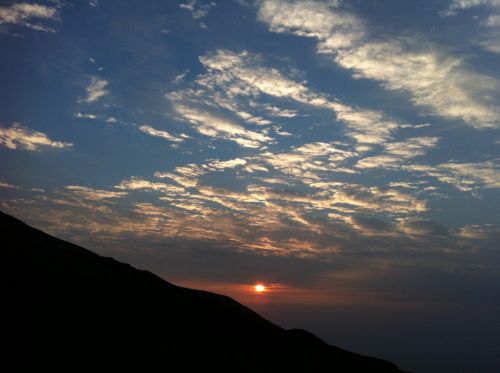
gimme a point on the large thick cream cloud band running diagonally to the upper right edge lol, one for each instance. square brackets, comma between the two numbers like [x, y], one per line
[436, 81]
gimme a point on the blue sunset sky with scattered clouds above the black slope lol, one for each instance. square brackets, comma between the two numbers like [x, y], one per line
[343, 153]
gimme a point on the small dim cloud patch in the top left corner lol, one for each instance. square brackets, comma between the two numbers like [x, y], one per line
[21, 13]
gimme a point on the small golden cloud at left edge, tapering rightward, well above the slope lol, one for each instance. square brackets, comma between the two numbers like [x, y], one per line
[18, 136]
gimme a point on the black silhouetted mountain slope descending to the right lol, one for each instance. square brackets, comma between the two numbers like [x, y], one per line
[71, 308]
